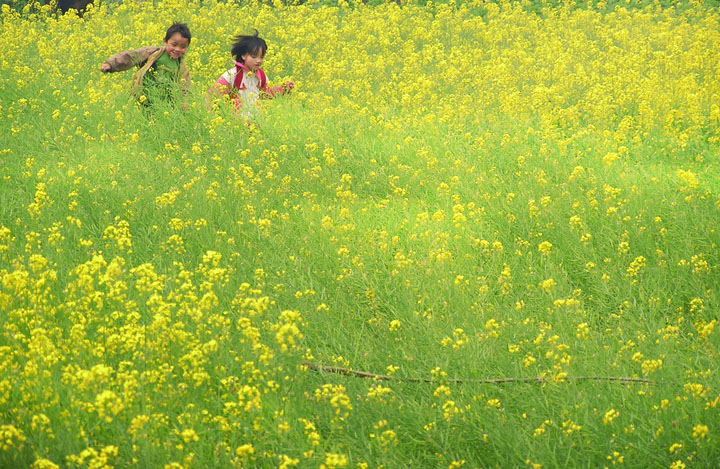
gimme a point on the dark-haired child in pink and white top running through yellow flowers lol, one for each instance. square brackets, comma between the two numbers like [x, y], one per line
[247, 82]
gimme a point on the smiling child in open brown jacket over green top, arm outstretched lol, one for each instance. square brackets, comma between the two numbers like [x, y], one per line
[161, 69]
